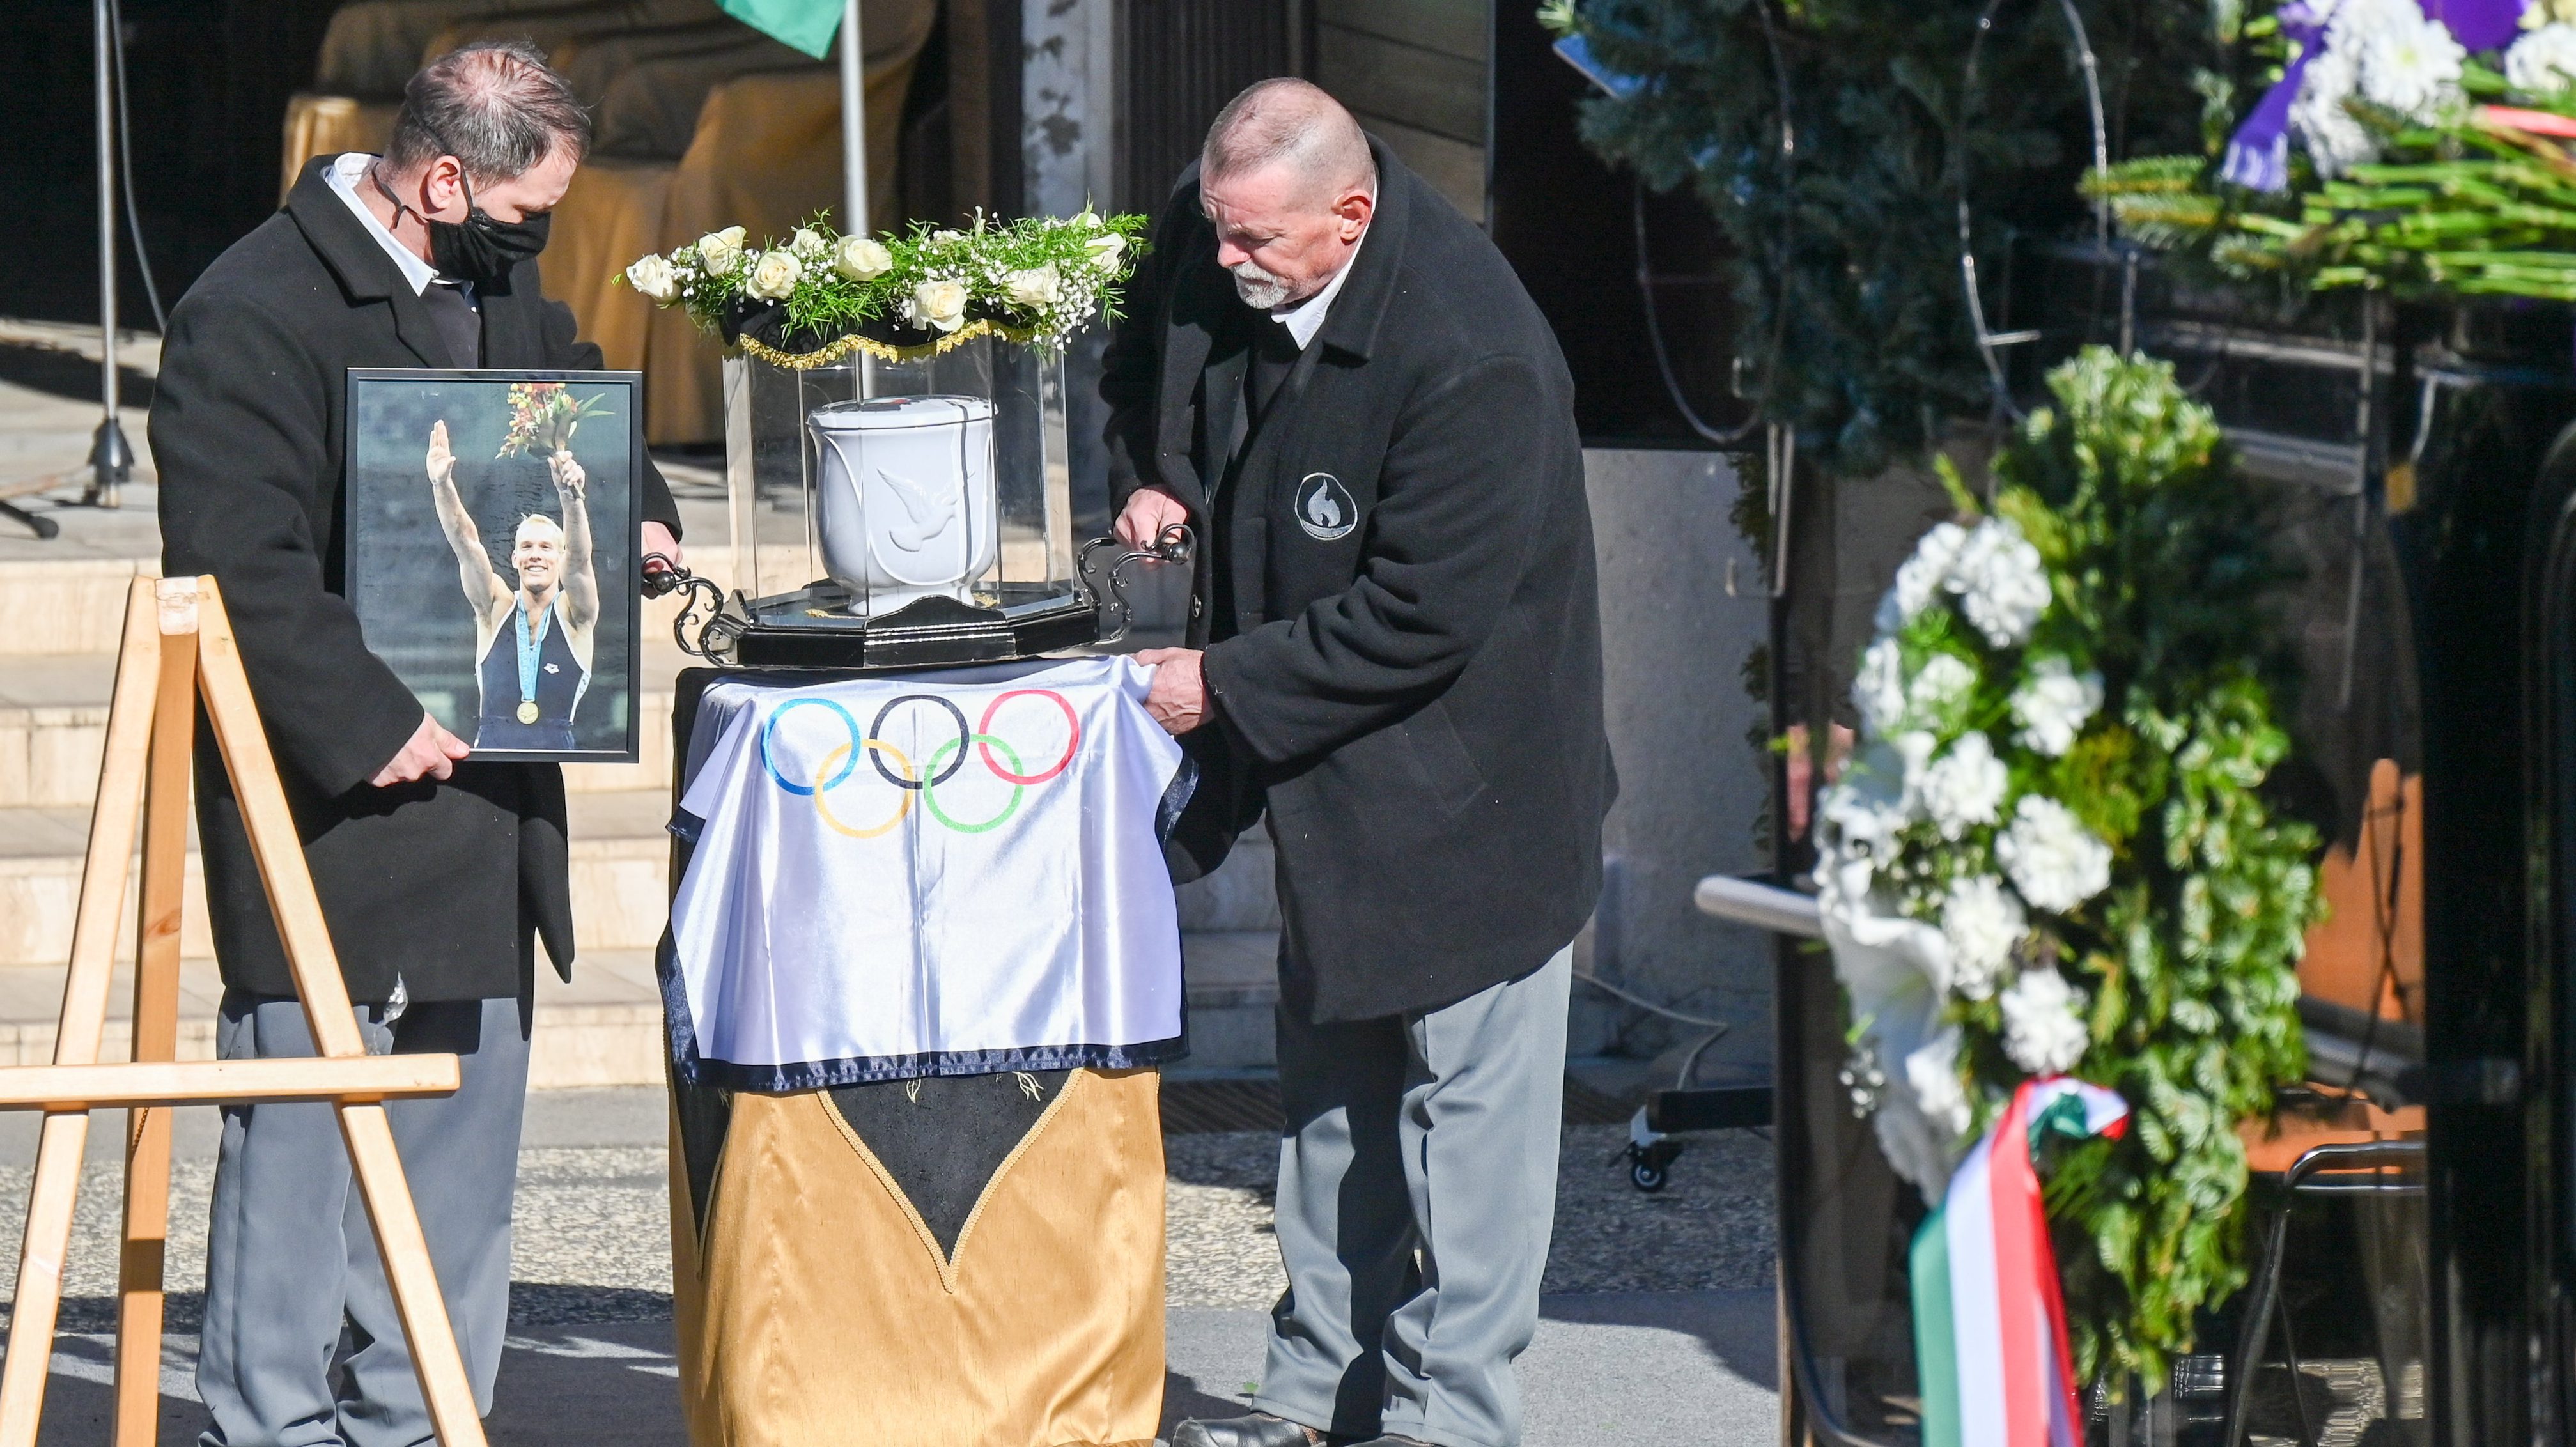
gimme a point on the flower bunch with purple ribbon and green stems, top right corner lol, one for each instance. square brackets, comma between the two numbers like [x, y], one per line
[2389, 151]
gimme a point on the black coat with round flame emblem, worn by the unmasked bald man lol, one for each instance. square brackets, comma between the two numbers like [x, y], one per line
[1413, 678]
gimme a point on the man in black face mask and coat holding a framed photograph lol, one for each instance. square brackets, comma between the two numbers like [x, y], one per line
[437, 872]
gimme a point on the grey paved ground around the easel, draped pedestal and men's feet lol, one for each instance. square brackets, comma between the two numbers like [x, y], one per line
[1658, 1325]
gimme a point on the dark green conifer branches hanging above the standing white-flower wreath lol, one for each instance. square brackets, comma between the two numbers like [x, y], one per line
[1856, 328]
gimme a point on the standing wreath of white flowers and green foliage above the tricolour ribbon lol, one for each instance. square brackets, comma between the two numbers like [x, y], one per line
[2049, 851]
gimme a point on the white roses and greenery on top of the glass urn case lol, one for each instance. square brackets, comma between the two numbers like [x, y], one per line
[1032, 282]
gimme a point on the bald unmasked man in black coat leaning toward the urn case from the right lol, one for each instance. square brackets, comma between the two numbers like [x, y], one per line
[1395, 648]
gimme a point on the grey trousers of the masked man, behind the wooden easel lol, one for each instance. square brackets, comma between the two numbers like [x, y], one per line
[303, 1345]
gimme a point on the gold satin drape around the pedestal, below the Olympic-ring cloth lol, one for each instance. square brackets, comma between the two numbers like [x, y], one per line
[823, 1309]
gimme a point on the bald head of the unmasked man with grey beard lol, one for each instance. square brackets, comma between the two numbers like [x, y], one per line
[1289, 187]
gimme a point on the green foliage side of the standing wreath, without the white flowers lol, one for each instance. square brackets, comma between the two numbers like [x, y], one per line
[2163, 557]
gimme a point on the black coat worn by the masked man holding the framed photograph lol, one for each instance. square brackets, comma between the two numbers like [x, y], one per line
[439, 884]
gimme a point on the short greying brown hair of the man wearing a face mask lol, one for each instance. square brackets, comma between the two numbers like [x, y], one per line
[496, 107]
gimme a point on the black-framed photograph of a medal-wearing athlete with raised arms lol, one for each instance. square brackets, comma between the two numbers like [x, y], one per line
[493, 552]
